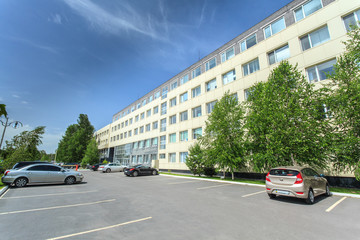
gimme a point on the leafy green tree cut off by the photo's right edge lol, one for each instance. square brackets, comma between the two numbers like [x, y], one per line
[345, 105]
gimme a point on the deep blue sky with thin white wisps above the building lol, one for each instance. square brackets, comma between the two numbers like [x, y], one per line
[63, 58]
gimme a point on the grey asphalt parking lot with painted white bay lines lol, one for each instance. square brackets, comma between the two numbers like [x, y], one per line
[112, 206]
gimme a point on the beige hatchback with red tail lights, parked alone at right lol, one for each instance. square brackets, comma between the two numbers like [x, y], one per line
[299, 182]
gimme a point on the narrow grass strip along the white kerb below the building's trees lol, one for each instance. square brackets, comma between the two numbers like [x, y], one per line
[262, 182]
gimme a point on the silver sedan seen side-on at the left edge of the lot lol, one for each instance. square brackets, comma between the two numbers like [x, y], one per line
[40, 173]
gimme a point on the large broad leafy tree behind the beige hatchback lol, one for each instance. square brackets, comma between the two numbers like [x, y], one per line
[286, 123]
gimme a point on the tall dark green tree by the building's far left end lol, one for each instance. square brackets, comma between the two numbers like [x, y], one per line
[72, 146]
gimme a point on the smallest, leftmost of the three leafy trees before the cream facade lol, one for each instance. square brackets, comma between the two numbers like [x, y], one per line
[224, 140]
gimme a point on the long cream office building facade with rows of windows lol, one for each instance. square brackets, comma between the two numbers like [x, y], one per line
[159, 128]
